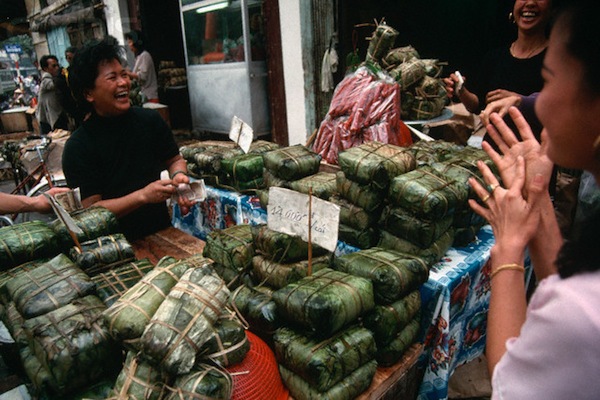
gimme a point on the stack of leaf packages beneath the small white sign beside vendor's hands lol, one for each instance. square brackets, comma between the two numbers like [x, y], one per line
[225, 165]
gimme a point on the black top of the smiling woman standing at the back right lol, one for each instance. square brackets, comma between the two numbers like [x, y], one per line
[500, 70]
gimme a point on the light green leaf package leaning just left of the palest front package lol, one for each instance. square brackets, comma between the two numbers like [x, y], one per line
[128, 316]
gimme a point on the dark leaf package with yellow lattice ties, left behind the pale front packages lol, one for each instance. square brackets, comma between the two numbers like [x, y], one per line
[112, 284]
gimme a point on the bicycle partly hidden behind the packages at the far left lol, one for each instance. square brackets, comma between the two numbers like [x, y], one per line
[34, 183]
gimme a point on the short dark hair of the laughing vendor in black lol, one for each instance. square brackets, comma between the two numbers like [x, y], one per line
[84, 69]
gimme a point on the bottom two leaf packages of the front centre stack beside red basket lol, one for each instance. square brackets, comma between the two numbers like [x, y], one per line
[339, 367]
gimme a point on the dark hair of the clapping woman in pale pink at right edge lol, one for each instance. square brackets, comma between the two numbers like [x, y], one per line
[580, 23]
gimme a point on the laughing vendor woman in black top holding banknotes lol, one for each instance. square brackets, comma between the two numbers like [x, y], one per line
[118, 153]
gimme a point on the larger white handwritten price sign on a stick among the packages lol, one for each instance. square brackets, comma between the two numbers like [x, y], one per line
[287, 212]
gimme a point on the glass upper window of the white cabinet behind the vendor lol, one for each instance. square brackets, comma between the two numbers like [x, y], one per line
[218, 37]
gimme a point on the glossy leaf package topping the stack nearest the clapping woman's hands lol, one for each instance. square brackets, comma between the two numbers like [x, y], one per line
[426, 193]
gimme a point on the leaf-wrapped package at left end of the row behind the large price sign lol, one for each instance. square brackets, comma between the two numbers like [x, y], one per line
[231, 247]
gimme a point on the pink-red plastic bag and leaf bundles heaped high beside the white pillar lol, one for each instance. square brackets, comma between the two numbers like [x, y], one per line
[369, 104]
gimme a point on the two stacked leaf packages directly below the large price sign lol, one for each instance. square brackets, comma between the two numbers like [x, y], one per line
[282, 259]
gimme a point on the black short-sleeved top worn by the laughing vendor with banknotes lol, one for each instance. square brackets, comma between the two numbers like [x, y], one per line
[115, 156]
